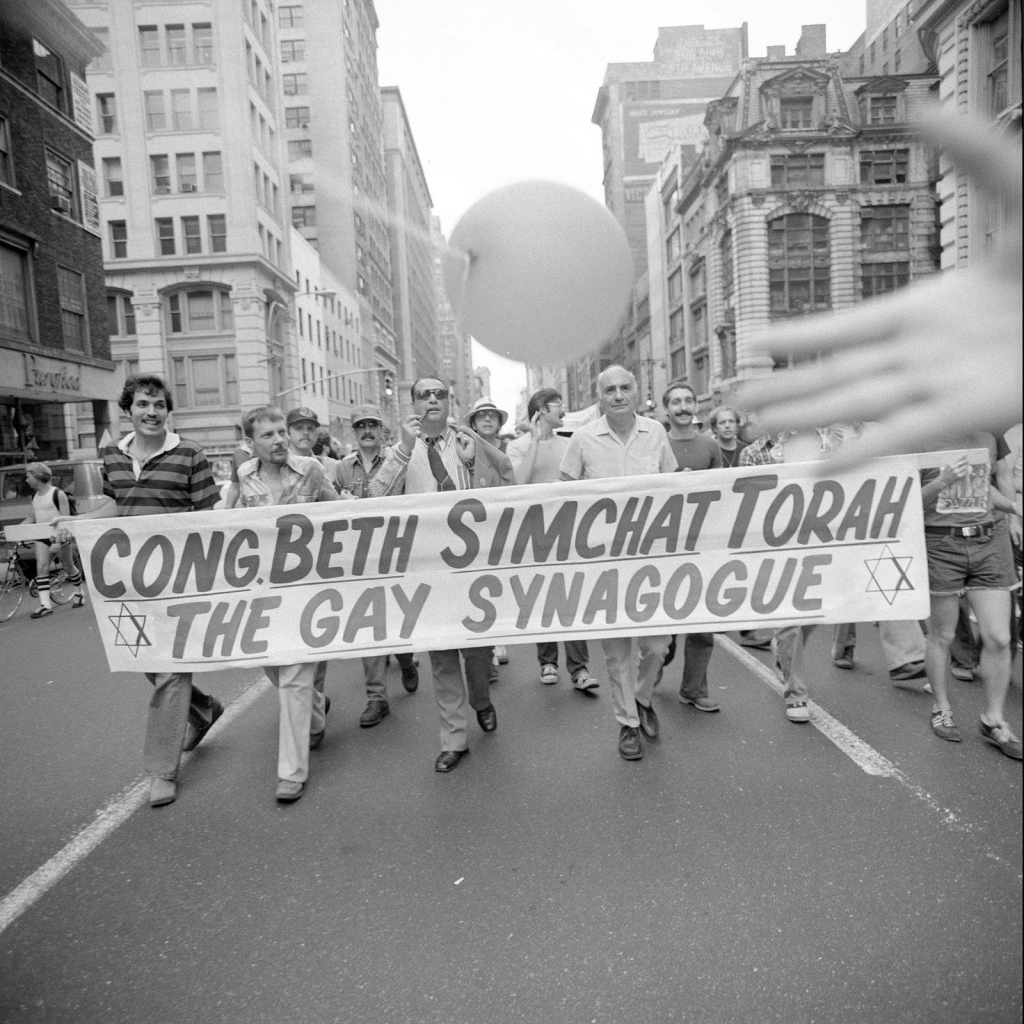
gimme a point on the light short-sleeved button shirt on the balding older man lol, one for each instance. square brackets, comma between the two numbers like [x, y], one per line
[596, 451]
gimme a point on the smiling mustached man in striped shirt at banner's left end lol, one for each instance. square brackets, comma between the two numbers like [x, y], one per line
[150, 473]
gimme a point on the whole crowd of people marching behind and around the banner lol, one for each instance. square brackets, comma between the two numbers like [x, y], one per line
[974, 553]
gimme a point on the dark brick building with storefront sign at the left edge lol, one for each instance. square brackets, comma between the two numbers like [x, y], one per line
[55, 347]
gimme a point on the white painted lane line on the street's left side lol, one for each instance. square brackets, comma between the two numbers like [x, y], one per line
[107, 821]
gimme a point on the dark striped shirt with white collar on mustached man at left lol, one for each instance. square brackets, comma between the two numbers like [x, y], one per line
[177, 480]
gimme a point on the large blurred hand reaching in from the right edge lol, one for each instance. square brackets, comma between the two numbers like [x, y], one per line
[940, 357]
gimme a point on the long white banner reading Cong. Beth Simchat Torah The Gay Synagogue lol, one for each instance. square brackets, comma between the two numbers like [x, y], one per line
[710, 551]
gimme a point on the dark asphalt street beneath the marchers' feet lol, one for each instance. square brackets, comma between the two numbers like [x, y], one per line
[747, 870]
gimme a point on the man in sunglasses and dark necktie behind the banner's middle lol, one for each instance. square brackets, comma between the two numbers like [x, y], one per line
[434, 456]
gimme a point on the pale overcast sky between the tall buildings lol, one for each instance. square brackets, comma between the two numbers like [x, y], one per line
[503, 92]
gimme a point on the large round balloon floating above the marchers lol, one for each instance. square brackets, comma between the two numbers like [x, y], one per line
[548, 275]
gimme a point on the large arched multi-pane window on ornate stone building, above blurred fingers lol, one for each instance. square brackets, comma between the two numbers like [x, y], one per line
[799, 265]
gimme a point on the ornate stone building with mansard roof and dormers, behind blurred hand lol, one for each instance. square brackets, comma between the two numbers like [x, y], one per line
[814, 194]
